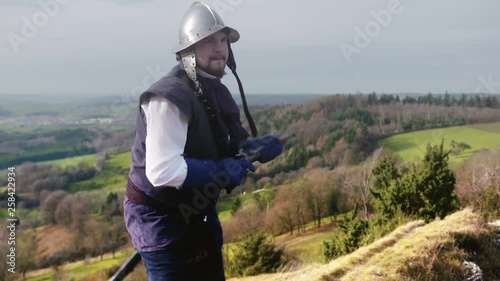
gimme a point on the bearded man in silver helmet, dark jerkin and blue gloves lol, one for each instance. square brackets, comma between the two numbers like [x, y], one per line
[188, 132]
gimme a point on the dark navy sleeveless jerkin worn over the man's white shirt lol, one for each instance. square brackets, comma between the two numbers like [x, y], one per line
[155, 224]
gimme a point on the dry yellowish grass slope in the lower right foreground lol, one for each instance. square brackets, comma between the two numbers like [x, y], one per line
[412, 252]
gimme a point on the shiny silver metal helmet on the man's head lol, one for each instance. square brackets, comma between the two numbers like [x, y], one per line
[199, 22]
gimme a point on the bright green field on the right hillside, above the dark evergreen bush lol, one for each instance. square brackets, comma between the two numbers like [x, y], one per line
[412, 146]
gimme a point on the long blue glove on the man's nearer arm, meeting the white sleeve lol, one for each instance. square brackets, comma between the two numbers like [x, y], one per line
[225, 173]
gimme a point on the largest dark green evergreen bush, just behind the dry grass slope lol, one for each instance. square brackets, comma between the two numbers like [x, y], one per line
[425, 191]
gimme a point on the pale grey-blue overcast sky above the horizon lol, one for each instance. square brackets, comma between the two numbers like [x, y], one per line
[76, 47]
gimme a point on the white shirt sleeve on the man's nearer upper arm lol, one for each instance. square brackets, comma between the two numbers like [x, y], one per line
[166, 137]
